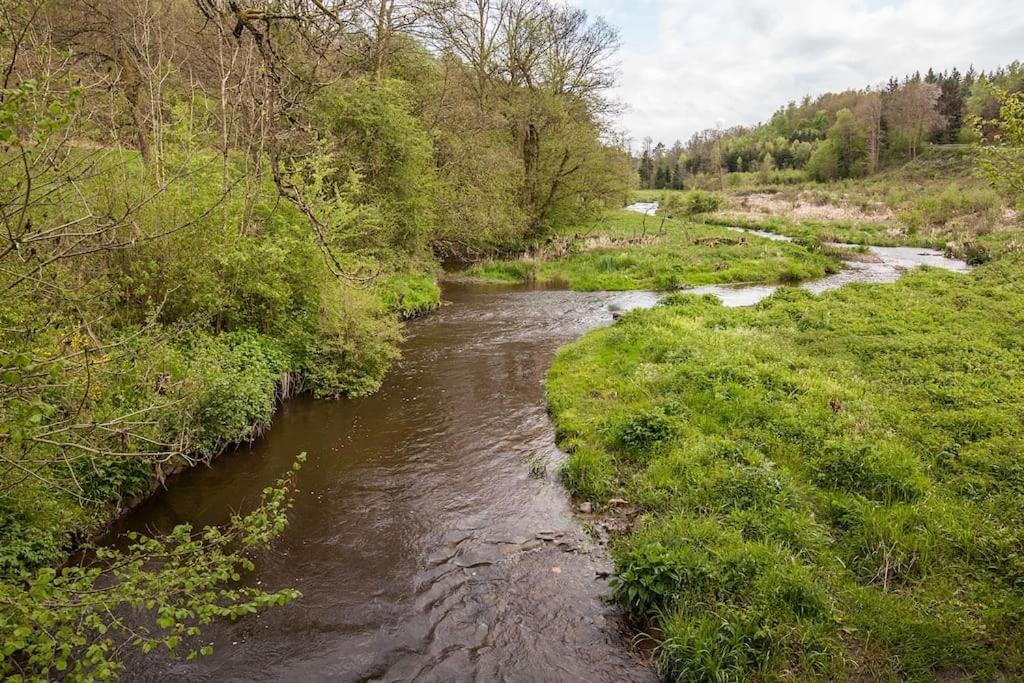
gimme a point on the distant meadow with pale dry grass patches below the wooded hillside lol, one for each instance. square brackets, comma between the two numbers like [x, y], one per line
[940, 200]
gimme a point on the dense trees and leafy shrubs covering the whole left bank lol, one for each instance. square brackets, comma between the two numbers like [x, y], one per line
[206, 208]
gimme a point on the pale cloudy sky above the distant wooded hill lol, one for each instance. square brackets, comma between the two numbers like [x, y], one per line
[689, 65]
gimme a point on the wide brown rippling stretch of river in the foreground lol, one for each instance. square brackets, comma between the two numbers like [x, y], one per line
[423, 544]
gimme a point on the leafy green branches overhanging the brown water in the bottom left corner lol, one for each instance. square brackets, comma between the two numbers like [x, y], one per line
[72, 623]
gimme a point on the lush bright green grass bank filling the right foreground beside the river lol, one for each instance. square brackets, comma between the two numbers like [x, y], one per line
[828, 487]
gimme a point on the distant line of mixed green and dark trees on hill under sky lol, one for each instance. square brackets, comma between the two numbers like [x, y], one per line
[840, 136]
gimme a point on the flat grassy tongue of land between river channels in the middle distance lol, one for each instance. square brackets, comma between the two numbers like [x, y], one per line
[629, 251]
